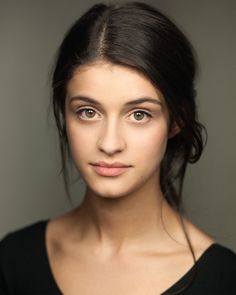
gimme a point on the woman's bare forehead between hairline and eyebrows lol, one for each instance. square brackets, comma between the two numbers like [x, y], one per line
[102, 79]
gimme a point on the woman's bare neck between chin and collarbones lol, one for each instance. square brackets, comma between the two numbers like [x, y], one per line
[128, 221]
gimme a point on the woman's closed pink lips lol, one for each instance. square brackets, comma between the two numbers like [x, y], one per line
[110, 169]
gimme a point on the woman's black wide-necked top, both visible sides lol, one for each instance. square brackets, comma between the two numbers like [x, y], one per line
[25, 269]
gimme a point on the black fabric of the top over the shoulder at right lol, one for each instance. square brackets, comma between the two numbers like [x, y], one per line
[213, 273]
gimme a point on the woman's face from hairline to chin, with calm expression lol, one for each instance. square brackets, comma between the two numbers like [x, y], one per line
[117, 128]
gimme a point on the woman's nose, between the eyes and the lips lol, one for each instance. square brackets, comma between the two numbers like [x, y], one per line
[111, 140]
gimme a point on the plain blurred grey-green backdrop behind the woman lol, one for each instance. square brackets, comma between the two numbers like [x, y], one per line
[30, 188]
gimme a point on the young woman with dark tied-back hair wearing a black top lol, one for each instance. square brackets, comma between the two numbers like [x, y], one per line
[124, 103]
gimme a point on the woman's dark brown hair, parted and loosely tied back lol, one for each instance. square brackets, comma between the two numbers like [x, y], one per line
[140, 37]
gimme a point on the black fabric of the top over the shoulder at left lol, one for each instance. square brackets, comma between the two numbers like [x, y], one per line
[23, 261]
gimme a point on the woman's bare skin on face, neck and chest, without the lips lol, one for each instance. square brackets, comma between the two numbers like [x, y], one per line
[124, 238]
